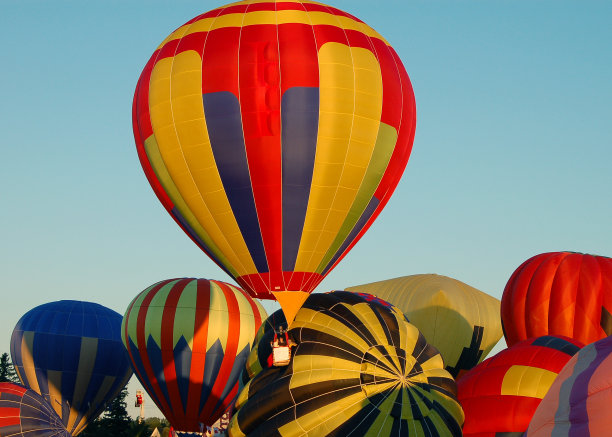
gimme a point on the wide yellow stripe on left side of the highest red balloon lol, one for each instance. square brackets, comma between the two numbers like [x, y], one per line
[171, 96]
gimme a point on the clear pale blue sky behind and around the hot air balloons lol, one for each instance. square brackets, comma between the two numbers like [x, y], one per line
[512, 155]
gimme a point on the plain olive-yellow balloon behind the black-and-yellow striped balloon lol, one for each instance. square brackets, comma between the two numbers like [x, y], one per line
[457, 319]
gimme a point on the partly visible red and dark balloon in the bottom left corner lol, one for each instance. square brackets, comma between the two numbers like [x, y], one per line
[24, 413]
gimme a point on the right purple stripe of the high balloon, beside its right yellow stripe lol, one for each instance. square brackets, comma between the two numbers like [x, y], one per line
[300, 118]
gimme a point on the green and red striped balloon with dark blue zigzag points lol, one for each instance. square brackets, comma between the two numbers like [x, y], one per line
[188, 340]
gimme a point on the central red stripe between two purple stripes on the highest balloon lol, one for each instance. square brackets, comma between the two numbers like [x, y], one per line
[259, 102]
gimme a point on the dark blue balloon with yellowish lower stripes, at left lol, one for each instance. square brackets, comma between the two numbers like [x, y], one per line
[70, 352]
